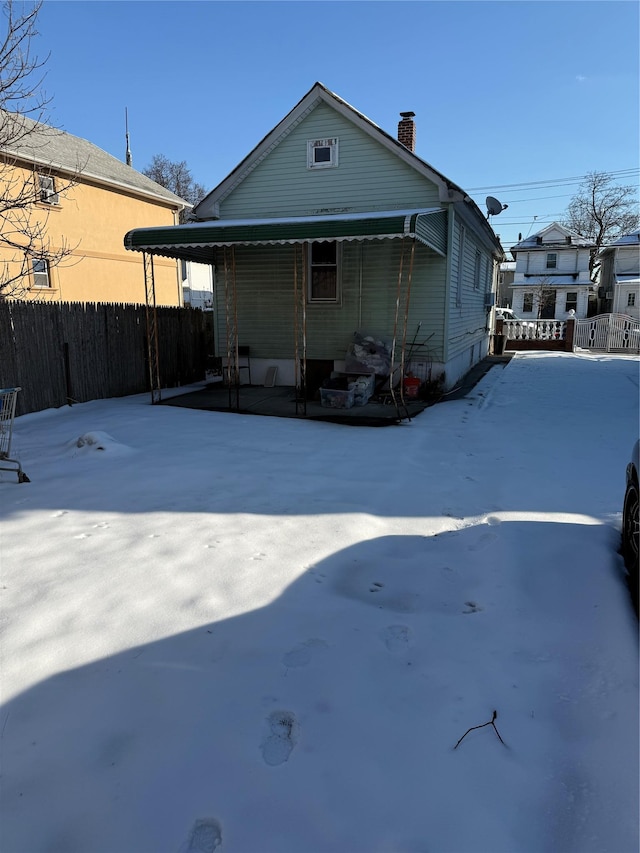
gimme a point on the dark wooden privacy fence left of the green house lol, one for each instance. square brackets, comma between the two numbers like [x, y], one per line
[63, 353]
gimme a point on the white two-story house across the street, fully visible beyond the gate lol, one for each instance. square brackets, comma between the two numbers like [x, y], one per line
[552, 274]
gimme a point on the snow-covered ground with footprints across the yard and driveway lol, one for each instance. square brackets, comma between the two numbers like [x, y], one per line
[255, 634]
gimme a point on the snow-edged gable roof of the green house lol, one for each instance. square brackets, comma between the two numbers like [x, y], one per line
[449, 192]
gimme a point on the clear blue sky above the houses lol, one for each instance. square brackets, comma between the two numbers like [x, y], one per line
[512, 99]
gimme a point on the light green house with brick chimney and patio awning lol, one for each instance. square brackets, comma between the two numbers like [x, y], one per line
[331, 233]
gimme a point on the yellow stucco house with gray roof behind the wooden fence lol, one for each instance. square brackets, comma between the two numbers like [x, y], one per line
[81, 203]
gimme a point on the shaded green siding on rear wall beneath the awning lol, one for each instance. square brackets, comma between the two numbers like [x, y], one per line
[369, 282]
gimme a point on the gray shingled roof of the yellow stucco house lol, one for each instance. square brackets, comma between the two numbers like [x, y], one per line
[58, 150]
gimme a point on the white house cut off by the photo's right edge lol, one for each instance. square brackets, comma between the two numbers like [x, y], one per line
[619, 289]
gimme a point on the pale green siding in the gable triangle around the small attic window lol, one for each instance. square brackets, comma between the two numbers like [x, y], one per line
[368, 177]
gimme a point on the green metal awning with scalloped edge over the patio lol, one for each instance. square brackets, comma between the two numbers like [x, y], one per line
[194, 241]
